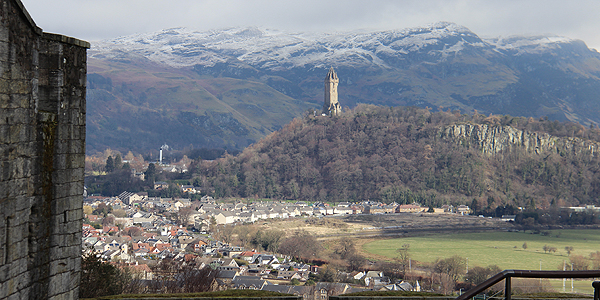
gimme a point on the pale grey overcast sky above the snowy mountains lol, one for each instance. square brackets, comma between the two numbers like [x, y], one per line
[94, 20]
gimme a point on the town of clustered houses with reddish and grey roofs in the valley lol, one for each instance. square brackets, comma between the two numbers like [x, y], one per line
[139, 232]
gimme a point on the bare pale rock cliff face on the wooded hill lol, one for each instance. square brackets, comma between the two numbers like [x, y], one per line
[492, 139]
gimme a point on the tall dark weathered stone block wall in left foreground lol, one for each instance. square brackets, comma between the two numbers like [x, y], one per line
[42, 153]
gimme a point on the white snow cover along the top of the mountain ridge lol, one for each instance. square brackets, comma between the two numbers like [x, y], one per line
[273, 49]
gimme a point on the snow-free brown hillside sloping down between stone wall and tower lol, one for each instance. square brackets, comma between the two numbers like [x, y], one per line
[139, 106]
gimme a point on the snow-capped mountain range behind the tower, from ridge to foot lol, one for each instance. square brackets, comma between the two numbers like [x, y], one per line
[229, 88]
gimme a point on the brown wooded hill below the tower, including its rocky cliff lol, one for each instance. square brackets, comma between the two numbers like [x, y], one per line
[408, 154]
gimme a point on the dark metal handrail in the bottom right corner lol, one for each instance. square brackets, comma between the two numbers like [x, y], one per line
[506, 275]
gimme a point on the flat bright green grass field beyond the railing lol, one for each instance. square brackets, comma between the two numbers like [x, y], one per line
[494, 248]
